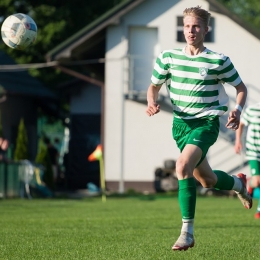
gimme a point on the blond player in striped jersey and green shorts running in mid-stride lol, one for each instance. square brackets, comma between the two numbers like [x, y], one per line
[194, 77]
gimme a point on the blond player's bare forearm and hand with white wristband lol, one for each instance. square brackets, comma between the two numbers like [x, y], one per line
[234, 115]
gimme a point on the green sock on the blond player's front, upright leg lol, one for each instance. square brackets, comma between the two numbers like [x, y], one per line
[187, 197]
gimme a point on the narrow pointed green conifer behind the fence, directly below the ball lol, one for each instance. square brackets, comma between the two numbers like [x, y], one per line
[21, 148]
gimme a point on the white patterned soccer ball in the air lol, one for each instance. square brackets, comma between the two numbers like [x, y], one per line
[19, 31]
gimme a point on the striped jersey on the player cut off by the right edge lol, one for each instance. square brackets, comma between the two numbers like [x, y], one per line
[251, 118]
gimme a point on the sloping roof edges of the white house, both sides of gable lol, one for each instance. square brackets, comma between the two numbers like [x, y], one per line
[80, 41]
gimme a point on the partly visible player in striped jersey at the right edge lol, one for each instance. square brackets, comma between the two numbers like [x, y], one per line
[251, 119]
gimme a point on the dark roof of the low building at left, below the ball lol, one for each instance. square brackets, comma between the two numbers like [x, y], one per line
[20, 82]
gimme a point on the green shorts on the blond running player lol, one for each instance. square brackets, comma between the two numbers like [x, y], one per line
[200, 132]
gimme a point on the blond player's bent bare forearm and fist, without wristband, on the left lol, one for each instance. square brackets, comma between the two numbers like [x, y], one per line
[152, 96]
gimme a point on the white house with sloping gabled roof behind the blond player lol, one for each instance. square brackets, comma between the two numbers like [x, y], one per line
[134, 33]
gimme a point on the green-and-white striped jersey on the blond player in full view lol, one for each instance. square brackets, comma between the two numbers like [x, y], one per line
[195, 83]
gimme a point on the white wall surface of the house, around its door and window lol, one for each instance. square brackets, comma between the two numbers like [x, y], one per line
[134, 143]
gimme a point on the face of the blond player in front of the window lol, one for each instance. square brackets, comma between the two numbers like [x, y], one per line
[194, 30]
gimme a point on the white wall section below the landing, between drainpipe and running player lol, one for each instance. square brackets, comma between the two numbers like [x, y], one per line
[147, 142]
